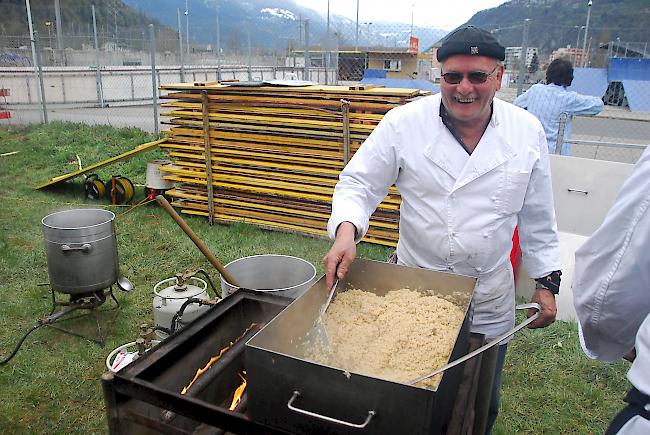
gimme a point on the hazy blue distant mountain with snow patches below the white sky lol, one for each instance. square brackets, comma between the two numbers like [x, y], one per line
[276, 24]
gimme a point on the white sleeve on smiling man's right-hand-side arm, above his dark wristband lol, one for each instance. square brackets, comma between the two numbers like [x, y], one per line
[540, 248]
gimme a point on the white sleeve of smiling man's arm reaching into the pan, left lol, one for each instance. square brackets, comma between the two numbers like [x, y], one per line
[365, 180]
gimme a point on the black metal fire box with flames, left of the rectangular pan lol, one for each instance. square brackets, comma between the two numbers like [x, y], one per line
[144, 397]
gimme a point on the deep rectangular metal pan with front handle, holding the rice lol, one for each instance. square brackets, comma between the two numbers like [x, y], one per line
[291, 393]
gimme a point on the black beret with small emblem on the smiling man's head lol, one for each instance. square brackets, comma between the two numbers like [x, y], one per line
[471, 40]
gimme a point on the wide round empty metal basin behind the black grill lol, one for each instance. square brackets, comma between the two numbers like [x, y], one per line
[280, 275]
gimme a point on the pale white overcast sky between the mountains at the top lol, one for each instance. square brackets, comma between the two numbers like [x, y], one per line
[445, 15]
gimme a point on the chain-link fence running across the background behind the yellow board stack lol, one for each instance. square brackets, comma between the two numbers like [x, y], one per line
[104, 73]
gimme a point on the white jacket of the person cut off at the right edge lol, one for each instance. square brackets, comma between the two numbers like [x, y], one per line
[611, 284]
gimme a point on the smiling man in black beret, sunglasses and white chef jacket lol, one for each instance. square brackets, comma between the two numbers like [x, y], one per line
[469, 168]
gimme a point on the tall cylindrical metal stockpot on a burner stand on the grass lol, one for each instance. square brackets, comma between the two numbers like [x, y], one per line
[81, 250]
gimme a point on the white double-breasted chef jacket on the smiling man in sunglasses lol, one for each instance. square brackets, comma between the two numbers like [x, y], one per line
[459, 211]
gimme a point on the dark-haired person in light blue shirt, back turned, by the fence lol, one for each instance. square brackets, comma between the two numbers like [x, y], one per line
[548, 102]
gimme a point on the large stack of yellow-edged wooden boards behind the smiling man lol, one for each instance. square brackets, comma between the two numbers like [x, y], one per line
[274, 152]
